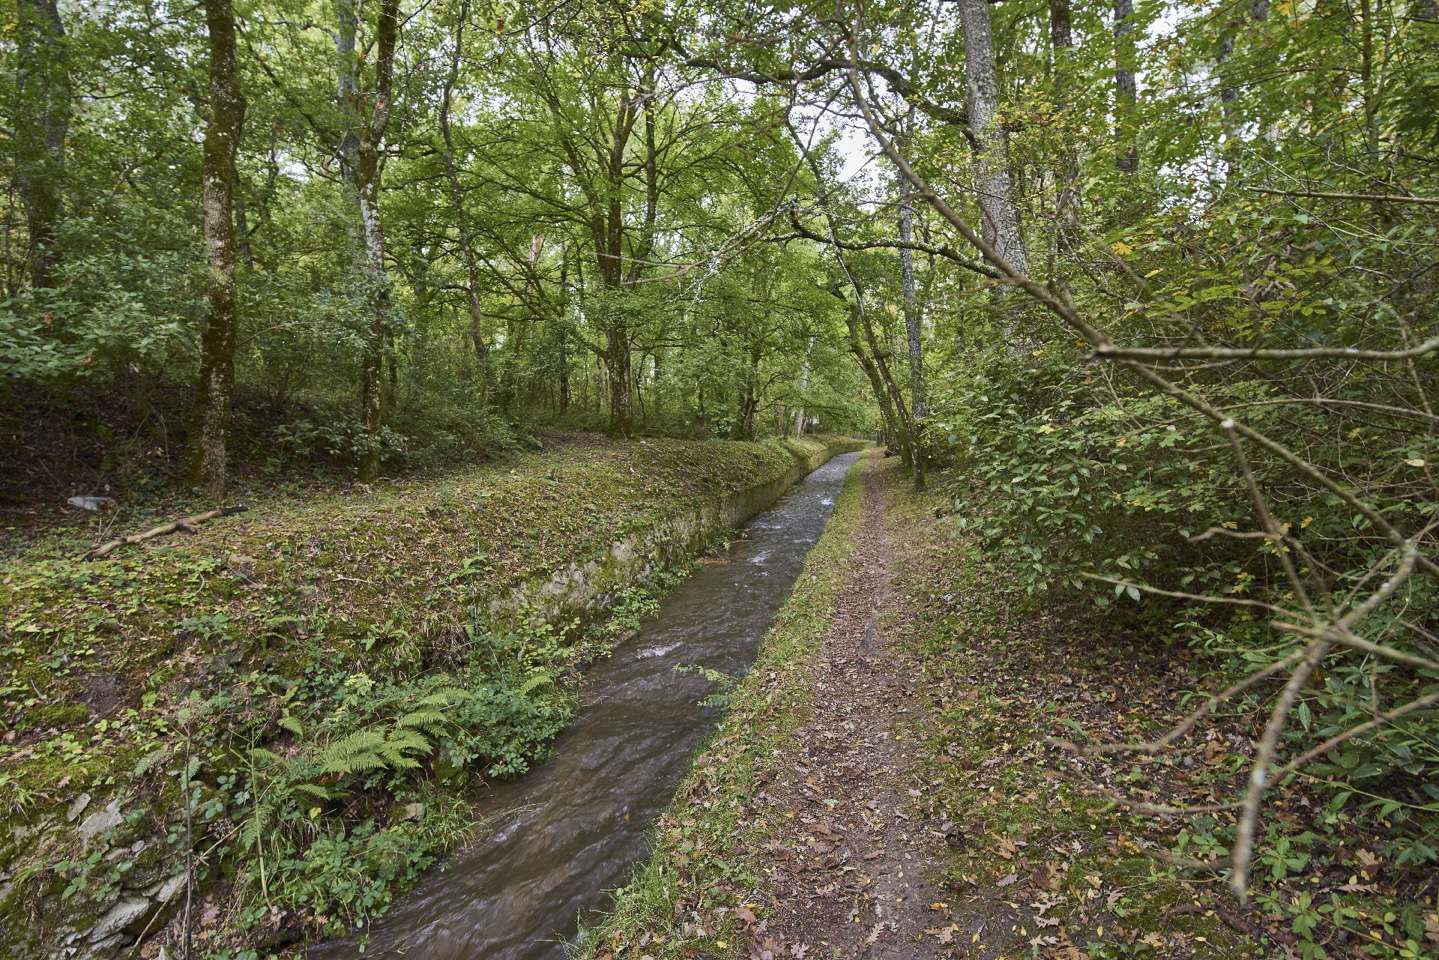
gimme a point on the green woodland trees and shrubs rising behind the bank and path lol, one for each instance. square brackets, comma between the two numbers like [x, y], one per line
[1150, 287]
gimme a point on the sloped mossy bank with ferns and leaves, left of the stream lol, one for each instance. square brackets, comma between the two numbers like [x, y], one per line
[297, 700]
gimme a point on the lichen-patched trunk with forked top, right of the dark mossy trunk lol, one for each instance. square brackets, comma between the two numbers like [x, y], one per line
[360, 156]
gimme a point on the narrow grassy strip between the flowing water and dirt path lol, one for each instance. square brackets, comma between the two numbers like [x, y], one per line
[686, 897]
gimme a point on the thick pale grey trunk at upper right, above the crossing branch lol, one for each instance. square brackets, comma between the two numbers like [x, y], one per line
[999, 215]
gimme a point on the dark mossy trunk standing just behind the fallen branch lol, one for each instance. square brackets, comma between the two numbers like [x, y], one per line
[222, 139]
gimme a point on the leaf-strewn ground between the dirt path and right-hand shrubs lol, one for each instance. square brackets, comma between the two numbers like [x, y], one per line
[1030, 825]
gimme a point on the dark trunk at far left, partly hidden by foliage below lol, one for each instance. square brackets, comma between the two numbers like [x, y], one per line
[44, 87]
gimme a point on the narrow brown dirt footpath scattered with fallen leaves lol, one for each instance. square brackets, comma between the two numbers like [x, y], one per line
[853, 880]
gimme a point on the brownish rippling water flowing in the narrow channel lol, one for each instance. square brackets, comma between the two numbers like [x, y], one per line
[575, 827]
